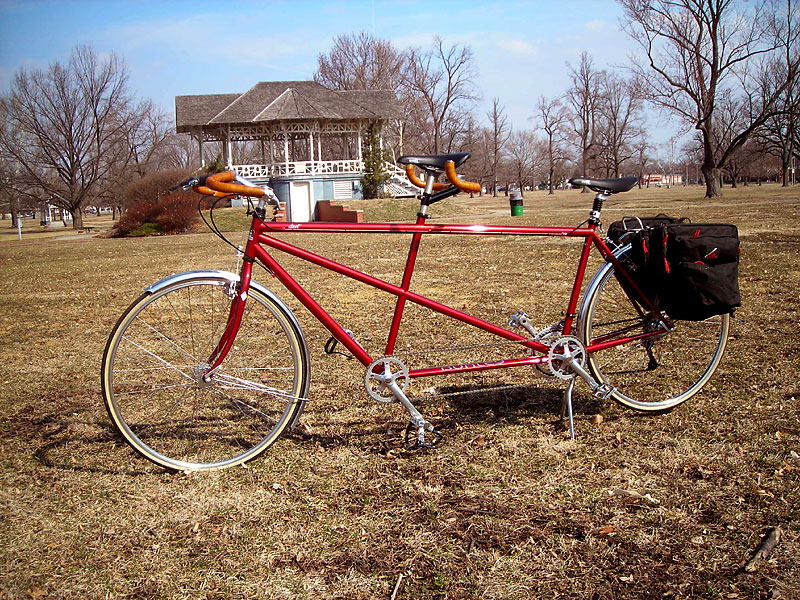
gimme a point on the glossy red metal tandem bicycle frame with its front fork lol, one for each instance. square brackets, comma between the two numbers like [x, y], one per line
[260, 237]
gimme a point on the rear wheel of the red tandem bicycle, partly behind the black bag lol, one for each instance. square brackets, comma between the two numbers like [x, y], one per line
[655, 374]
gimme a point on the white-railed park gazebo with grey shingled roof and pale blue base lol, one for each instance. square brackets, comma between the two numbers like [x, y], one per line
[300, 137]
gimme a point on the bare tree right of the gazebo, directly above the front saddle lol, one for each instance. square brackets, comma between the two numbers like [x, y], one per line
[438, 88]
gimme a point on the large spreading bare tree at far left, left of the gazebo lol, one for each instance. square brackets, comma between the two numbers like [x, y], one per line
[67, 127]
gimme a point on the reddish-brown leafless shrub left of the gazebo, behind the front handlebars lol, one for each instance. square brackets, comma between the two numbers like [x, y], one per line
[153, 210]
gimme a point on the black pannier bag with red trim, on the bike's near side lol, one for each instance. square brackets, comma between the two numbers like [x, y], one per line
[691, 271]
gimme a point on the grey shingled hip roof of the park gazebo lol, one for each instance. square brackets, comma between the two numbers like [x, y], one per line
[274, 101]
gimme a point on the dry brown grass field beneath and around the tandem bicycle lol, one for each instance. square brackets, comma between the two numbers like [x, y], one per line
[507, 507]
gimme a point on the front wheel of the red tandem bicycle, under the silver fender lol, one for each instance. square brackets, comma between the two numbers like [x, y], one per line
[152, 375]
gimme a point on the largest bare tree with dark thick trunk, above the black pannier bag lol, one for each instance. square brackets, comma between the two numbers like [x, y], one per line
[697, 49]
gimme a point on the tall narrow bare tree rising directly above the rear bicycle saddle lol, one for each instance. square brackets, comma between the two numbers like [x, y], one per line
[583, 99]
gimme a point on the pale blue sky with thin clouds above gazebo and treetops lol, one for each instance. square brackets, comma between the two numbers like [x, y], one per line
[176, 47]
